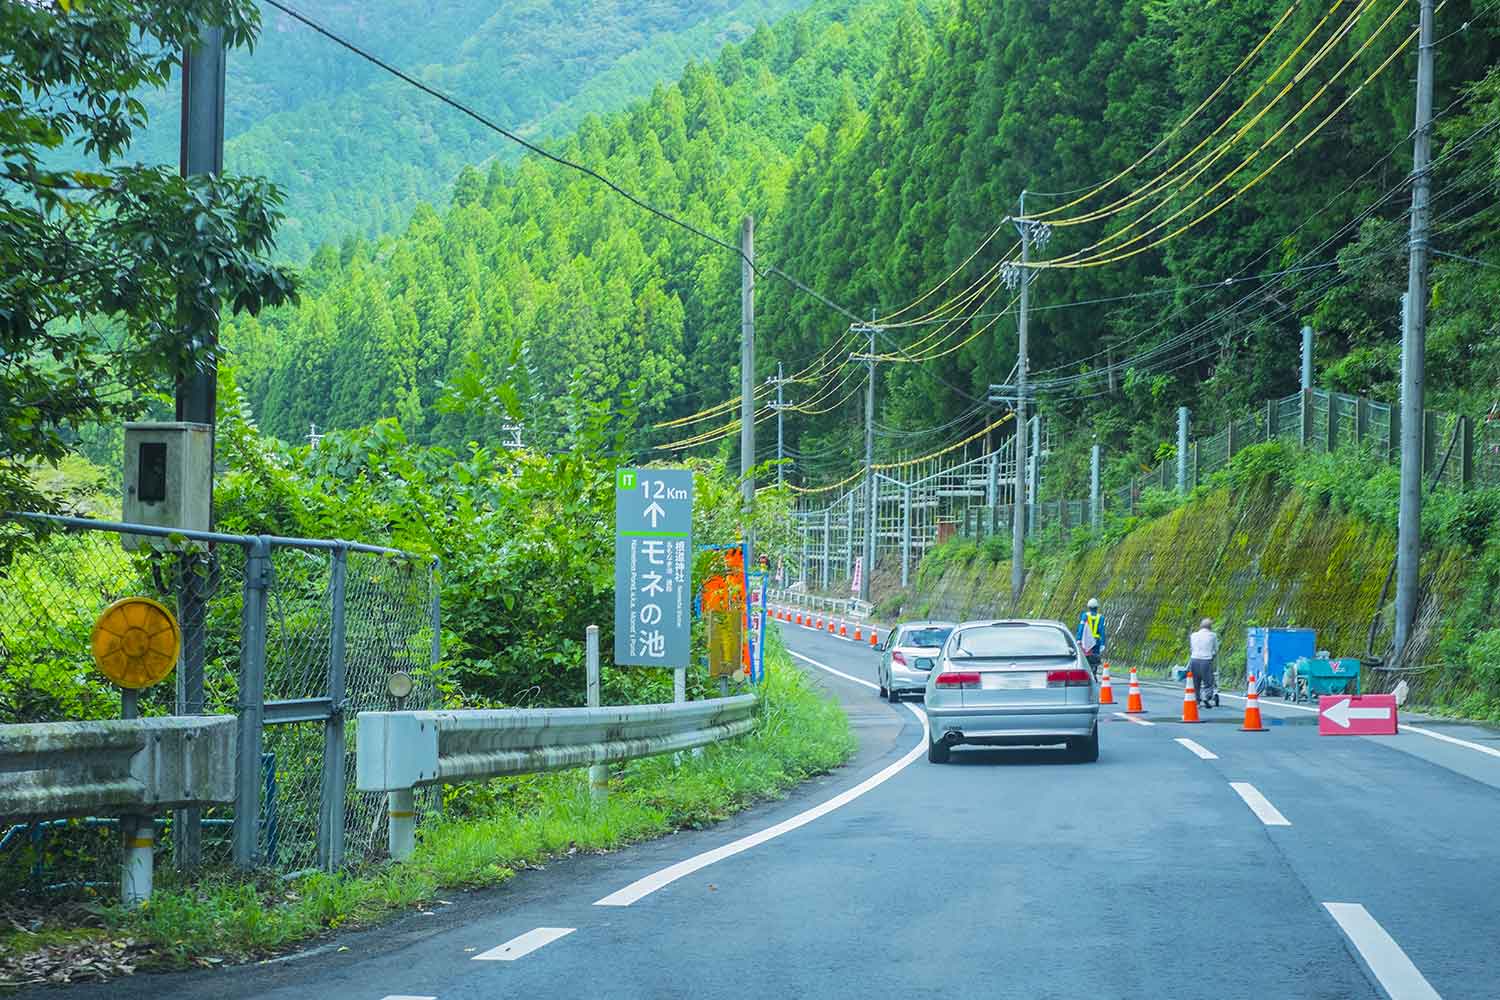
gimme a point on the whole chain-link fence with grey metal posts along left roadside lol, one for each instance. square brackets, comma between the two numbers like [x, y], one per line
[293, 636]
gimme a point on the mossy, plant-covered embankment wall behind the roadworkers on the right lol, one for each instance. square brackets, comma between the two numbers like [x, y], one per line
[1280, 539]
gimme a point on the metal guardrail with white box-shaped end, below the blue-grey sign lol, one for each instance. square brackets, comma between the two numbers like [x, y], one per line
[400, 752]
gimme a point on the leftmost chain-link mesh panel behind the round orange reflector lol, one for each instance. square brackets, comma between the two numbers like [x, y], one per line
[55, 584]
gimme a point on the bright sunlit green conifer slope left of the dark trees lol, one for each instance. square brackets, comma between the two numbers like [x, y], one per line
[538, 281]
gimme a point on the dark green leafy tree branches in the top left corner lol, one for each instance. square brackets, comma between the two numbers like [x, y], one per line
[103, 271]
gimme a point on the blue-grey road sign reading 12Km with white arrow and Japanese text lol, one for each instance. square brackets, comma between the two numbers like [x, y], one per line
[653, 567]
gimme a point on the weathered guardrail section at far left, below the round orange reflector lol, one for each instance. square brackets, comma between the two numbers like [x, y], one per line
[133, 768]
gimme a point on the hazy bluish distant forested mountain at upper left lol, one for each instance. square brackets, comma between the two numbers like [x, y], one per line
[356, 152]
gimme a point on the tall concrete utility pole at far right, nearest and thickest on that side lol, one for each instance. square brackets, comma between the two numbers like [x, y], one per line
[1414, 346]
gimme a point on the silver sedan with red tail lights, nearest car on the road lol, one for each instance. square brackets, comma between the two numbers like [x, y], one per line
[1012, 684]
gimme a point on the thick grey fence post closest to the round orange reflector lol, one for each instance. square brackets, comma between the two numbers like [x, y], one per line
[253, 704]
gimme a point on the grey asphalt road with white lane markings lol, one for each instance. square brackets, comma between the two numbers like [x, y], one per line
[1274, 864]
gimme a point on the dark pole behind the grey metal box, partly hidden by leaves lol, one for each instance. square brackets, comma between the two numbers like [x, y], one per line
[200, 152]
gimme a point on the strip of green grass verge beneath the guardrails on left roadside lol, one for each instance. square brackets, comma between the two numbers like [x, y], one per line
[490, 834]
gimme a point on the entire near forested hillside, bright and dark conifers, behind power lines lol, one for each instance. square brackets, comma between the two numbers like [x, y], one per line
[1231, 172]
